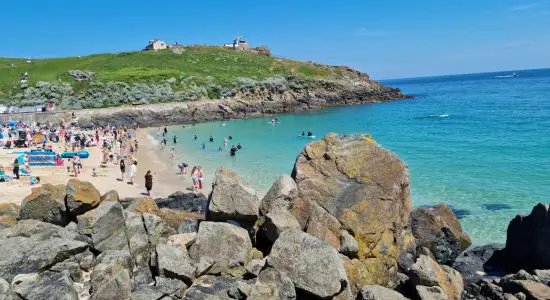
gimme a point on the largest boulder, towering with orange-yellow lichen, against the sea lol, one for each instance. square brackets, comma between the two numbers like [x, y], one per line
[350, 183]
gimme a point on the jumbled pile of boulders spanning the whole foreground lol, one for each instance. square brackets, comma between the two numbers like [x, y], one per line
[338, 228]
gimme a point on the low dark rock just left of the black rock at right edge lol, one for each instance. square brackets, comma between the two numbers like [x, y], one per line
[472, 263]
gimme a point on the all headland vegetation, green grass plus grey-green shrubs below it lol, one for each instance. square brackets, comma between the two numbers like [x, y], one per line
[172, 75]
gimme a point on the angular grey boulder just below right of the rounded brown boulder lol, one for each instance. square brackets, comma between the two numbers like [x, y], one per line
[106, 225]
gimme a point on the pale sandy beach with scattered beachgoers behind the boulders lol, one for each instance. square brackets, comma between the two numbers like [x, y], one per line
[149, 157]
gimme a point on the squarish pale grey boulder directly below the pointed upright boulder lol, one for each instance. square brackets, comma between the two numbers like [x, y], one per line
[228, 245]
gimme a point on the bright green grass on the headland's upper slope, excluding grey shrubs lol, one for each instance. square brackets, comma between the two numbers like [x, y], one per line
[199, 63]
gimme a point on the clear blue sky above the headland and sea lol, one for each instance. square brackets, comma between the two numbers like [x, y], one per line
[387, 39]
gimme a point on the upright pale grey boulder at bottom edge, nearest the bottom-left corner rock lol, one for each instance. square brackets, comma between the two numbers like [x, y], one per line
[111, 277]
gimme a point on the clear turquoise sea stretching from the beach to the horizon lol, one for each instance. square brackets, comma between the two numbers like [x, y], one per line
[477, 142]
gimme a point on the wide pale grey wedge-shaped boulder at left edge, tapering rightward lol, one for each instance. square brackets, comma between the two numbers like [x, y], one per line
[31, 246]
